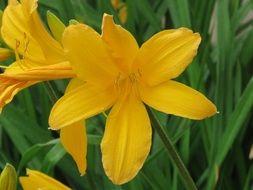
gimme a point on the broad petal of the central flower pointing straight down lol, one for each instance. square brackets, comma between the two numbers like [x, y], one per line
[127, 139]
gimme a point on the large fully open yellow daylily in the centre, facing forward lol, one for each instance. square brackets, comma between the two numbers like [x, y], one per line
[115, 72]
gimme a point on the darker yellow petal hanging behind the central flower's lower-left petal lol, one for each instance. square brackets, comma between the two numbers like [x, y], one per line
[74, 140]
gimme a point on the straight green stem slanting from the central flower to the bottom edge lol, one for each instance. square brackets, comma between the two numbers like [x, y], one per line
[186, 177]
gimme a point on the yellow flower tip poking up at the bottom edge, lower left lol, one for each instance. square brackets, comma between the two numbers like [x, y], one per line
[38, 180]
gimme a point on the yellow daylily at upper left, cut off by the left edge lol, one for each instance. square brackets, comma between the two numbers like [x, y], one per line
[39, 56]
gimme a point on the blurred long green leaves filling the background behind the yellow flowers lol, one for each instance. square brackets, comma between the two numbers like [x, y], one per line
[216, 151]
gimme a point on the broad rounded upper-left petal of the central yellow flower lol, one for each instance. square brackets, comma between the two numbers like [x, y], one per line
[88, 55]
